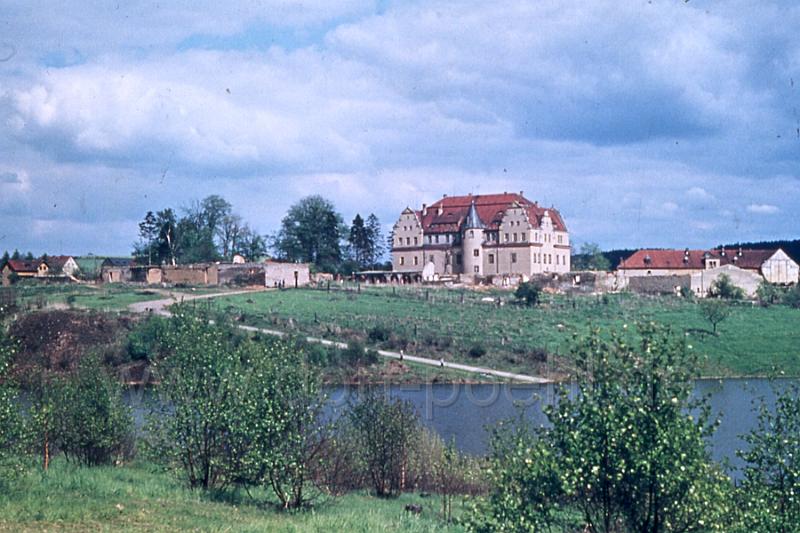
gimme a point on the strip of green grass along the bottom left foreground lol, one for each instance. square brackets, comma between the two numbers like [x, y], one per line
[139, 498]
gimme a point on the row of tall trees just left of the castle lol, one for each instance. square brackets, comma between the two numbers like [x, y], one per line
[312, 231]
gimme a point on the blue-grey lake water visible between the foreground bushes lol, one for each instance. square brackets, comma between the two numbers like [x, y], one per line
[463, 412]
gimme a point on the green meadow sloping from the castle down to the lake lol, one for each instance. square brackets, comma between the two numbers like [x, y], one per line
[448, 323]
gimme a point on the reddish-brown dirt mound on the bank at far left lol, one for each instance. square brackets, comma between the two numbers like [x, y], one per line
[56, 340]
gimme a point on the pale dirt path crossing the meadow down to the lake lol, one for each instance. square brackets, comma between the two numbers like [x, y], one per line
[159, 307]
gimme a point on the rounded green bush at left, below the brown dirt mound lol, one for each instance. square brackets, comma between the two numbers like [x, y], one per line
[92, 424]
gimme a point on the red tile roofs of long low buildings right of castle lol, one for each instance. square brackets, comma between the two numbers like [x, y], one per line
[695, 259]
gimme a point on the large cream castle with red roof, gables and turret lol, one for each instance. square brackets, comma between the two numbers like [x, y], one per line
[481, 236]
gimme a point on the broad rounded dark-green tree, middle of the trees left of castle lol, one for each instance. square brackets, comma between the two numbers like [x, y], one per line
[312, 232]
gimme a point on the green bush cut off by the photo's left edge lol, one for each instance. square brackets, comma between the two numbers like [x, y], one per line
[12, 431]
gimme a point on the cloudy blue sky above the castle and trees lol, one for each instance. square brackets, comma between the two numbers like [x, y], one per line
[647, 123]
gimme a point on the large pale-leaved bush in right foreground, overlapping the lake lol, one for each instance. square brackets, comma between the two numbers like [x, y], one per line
[627, 451]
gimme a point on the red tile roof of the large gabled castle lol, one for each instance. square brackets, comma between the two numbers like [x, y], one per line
[490, 208]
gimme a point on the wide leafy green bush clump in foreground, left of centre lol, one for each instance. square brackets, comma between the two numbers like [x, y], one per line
[236, 411]
